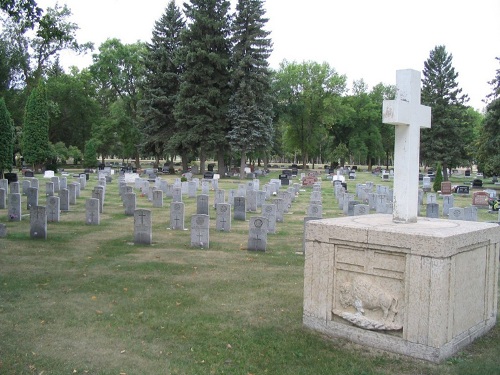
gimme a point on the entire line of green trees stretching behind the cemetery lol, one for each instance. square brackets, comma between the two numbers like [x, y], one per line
[202, 88]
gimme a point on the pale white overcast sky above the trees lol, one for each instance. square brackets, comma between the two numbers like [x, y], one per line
[368, 39]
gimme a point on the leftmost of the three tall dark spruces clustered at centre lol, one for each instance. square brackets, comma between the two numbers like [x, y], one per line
[162, 80]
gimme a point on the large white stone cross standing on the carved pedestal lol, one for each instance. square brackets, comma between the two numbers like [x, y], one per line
[408, 115]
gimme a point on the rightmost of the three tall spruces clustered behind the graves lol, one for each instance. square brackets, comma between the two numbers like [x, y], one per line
[250, 105]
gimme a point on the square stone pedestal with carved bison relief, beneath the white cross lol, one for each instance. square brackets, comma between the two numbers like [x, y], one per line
[424, 289]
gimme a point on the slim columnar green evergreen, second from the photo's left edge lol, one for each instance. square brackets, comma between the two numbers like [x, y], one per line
[35, 145]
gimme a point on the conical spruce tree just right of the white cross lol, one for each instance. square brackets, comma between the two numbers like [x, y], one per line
[445, 142]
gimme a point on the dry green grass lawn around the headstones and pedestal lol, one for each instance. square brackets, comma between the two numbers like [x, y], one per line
[88, 301]
